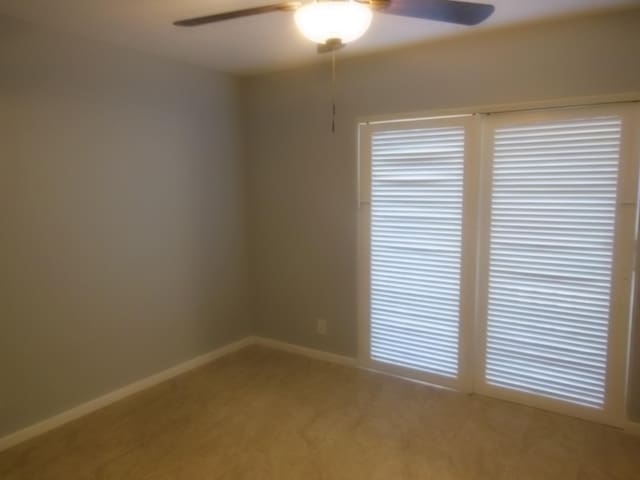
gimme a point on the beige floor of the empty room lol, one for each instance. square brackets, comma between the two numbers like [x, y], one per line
[262, 414]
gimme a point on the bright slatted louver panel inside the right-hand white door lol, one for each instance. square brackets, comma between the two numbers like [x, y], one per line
[553, 210]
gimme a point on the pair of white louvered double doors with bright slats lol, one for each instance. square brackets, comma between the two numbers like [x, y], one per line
[495, 253]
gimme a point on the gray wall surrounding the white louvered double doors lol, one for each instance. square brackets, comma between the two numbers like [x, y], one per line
[302, 181]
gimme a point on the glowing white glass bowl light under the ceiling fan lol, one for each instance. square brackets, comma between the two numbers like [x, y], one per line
[344, 20]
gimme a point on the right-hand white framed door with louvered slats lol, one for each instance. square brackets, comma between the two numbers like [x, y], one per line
[556, 191]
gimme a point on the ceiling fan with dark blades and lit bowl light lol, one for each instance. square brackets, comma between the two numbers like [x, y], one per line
[333, 23]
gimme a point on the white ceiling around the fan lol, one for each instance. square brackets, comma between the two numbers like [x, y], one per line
[258, 43]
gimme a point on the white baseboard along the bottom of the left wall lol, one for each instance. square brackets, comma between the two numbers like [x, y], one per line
[112, 397]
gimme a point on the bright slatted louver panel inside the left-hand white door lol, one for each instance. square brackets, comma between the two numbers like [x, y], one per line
[415, 247]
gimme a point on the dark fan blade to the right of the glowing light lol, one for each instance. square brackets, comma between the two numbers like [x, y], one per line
[463, 13]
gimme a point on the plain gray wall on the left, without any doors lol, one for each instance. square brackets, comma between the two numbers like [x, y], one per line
[122, 245]
